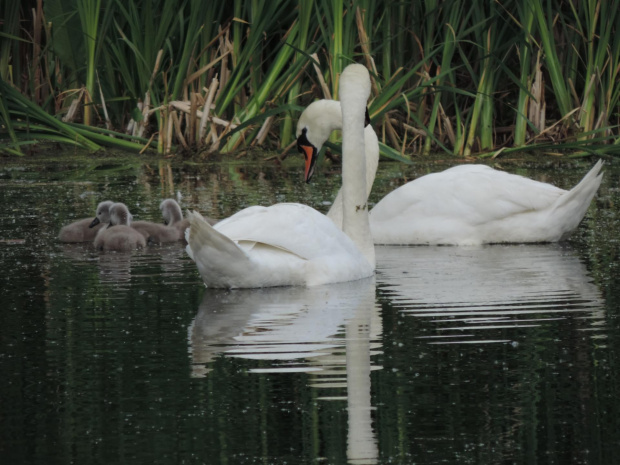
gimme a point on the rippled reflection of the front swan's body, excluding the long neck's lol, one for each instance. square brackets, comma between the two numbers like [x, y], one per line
[294, 328]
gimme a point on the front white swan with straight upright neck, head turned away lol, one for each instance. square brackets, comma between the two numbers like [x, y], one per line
[293, 244]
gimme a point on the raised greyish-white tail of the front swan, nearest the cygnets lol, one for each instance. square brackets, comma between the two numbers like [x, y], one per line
[216, 255]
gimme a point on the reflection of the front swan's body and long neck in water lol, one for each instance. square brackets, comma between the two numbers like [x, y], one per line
[300, 329]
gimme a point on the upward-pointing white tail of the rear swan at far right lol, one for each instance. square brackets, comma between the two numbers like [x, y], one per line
[572, 206]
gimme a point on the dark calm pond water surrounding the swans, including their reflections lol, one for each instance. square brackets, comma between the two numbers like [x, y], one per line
[494, 354]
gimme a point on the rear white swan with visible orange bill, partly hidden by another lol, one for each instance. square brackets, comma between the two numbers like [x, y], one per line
[463, 205]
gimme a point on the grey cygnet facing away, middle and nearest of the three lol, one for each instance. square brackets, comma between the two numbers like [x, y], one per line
[119, 235]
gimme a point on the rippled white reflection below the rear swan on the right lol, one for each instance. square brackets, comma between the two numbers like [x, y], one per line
[475, 294]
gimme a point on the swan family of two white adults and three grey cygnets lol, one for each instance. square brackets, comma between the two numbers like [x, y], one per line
[291, 244]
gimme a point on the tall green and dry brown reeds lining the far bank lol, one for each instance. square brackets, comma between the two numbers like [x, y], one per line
[467, 79]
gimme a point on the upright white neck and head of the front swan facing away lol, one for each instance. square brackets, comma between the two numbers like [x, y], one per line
[354, 93]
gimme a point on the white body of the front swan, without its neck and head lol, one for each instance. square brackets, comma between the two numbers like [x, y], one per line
[281, 245]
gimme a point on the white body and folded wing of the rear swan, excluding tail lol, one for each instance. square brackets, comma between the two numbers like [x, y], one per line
[468, 204]
